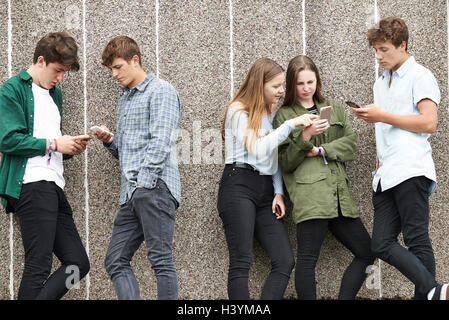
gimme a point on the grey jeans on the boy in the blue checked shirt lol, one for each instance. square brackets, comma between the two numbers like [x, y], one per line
[149, 215]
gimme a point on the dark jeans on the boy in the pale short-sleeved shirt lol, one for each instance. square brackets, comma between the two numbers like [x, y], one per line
[405, 208]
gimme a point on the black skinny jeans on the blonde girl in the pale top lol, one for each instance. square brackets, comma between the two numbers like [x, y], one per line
[244, 203]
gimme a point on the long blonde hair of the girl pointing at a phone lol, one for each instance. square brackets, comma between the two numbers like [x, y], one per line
[250, 97]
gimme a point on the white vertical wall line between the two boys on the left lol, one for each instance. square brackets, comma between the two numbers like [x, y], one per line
[86, 183]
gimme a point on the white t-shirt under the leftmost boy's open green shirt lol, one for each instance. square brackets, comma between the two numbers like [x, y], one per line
[47, 122]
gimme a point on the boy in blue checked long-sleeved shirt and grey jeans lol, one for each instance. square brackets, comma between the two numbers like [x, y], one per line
[147, 123]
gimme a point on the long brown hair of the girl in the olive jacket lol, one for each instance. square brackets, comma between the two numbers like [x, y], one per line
[295, 66]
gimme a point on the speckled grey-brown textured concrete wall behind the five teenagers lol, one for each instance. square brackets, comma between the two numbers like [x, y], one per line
[204, 49]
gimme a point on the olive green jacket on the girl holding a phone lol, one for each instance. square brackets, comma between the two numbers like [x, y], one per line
[315, 188]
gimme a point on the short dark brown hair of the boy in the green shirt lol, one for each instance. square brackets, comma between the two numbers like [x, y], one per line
[58, 47]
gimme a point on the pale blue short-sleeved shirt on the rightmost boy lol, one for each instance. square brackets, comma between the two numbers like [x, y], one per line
[404, 154]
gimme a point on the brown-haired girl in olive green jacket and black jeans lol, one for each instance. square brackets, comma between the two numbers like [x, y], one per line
[312, 161]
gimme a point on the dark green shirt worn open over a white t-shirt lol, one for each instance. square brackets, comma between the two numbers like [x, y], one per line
[17, 143]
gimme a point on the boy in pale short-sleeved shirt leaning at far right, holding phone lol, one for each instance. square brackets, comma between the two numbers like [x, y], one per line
[405, 114]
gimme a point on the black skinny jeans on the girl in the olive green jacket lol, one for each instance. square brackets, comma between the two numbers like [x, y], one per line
[352, 234]
